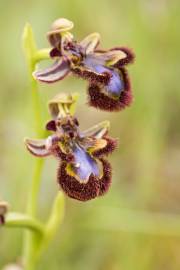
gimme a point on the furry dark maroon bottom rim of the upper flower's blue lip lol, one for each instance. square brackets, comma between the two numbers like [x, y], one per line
[99, 100]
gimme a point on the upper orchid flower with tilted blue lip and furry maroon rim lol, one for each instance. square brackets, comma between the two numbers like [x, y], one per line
[109, 86]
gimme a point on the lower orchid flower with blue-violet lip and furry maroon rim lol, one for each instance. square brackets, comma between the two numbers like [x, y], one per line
[83, 171]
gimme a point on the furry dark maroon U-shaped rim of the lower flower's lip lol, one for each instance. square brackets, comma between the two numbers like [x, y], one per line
[84, 192]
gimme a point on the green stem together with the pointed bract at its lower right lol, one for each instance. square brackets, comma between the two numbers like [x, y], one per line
[33, 244]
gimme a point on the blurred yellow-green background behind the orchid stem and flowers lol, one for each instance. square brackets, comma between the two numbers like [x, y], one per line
[137, 224]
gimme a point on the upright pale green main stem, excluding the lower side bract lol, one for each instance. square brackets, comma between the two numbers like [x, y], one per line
[33, 56]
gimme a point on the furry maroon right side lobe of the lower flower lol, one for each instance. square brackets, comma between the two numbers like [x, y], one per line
[108, 149]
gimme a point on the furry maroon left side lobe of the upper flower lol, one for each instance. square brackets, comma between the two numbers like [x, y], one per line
[92, 76]
